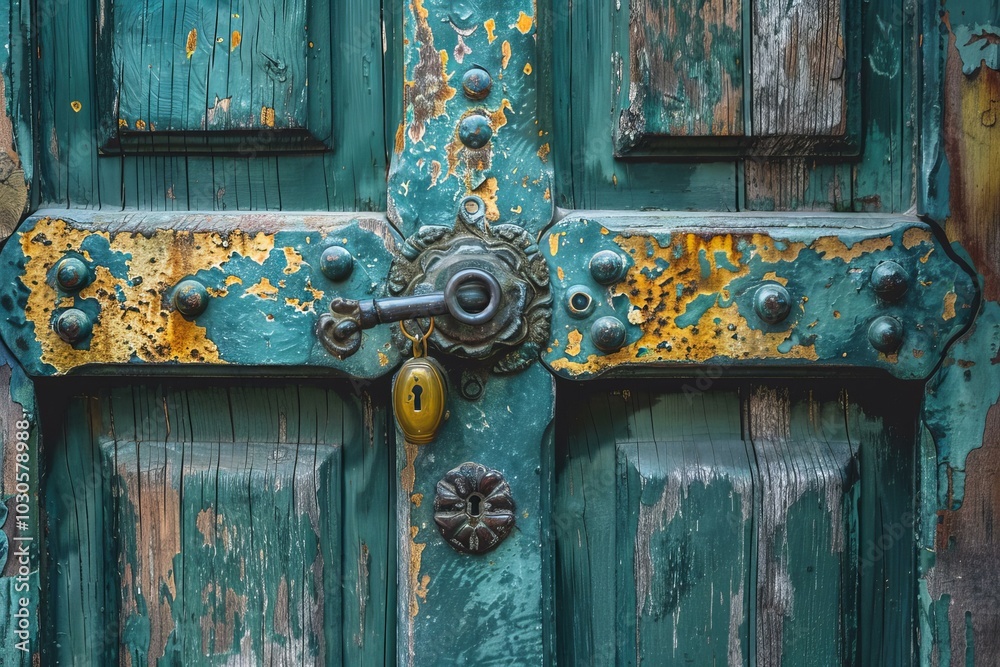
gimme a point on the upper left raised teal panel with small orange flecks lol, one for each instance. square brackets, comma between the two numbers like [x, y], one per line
[175, 67]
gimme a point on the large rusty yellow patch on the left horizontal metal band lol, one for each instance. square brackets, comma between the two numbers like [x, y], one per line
[142, 325]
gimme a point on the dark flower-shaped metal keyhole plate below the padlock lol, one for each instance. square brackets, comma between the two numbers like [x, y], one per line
[473, 508]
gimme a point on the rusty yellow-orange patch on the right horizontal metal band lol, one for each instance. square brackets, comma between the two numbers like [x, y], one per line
[647, 287]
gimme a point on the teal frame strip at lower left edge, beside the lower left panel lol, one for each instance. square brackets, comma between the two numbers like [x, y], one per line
[19, 515]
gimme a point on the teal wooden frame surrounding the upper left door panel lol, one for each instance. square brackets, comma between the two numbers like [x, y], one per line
[352, 177]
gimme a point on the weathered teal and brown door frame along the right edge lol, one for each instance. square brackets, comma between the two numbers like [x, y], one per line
[959, 188]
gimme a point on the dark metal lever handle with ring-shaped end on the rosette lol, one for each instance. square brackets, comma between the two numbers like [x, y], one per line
[472, 296]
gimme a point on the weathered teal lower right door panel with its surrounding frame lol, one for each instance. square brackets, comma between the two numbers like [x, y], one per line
[740, 517]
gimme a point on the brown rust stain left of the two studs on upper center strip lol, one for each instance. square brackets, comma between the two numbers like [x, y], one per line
[429, 91]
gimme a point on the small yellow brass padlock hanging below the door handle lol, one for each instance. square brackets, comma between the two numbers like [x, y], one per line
[419, 395]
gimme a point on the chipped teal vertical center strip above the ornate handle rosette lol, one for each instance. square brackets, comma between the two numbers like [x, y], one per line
[432, 169]
